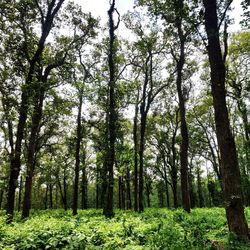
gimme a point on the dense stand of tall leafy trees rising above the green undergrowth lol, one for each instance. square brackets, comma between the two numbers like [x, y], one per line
[158, 117]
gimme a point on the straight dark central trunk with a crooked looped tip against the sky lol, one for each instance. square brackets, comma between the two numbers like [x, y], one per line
[112, 116]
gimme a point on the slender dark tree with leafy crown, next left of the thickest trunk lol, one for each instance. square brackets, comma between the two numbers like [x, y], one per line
[179, 27]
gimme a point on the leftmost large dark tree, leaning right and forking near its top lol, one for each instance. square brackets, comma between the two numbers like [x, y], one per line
[47, 21]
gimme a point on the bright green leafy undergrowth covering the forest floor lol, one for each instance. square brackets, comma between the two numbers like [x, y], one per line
[153, 229]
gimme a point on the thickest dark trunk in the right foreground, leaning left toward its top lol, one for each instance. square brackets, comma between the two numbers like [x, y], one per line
[229, 163]
